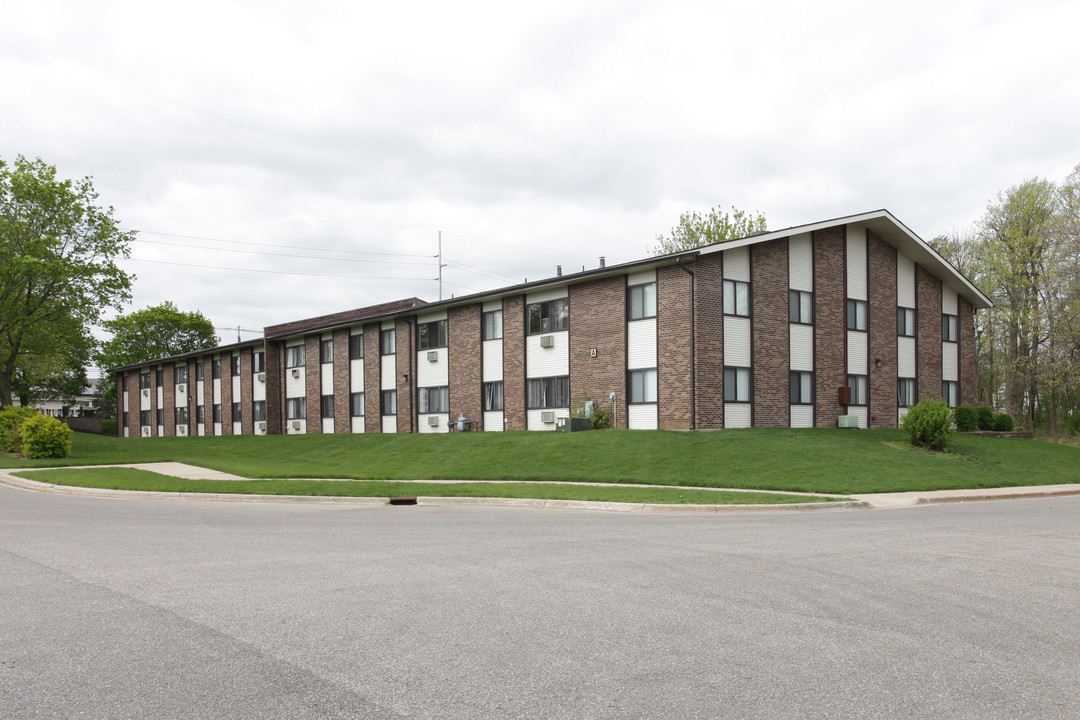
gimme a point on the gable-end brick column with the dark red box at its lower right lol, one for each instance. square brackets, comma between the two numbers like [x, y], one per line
[831, 329]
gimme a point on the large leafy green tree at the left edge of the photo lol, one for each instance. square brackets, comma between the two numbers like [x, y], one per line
[59, 273]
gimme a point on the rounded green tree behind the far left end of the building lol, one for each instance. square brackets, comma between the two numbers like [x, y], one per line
[152, 333]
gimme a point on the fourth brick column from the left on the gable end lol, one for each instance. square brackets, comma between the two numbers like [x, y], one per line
[882, 287]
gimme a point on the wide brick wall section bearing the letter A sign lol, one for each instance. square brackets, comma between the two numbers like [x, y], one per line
[599, 320]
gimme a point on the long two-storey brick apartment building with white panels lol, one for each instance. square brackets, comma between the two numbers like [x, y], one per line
[855, 317]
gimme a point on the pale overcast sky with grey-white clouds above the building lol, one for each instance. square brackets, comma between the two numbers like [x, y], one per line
[236, 137]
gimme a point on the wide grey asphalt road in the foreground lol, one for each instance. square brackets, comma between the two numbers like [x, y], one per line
[171, 609]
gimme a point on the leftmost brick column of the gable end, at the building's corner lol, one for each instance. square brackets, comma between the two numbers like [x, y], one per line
[709, 342]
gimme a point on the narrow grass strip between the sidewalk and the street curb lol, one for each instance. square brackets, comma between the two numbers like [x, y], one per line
[129, 479]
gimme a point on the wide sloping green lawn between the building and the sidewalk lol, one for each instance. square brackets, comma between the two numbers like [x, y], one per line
[821, 460]
